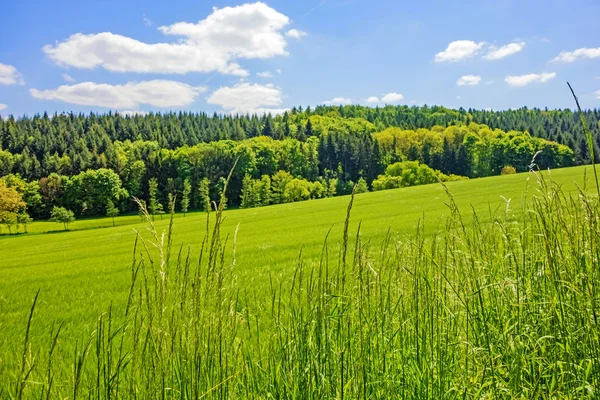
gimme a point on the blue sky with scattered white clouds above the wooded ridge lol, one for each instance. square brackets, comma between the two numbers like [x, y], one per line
[244, 57]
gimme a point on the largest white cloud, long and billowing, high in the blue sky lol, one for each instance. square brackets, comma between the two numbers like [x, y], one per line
[248, 31]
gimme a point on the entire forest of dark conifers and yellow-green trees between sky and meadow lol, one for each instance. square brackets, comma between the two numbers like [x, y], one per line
[96, 164]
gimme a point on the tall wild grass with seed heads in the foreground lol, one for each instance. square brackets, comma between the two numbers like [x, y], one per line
[502, 310]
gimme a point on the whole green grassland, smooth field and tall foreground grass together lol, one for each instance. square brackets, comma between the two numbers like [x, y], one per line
[473, 302]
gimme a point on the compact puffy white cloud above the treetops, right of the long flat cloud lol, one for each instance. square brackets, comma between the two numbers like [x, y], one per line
[248, 98]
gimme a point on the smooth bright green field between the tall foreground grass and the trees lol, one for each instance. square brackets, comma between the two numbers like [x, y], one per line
[80, 273]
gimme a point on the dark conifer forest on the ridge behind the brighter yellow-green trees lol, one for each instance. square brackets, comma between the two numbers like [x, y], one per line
[71, 143]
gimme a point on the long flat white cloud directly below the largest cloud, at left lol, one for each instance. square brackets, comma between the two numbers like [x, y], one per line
[158, 93]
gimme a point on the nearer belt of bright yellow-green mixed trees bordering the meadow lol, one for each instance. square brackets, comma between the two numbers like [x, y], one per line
[337, 153]
